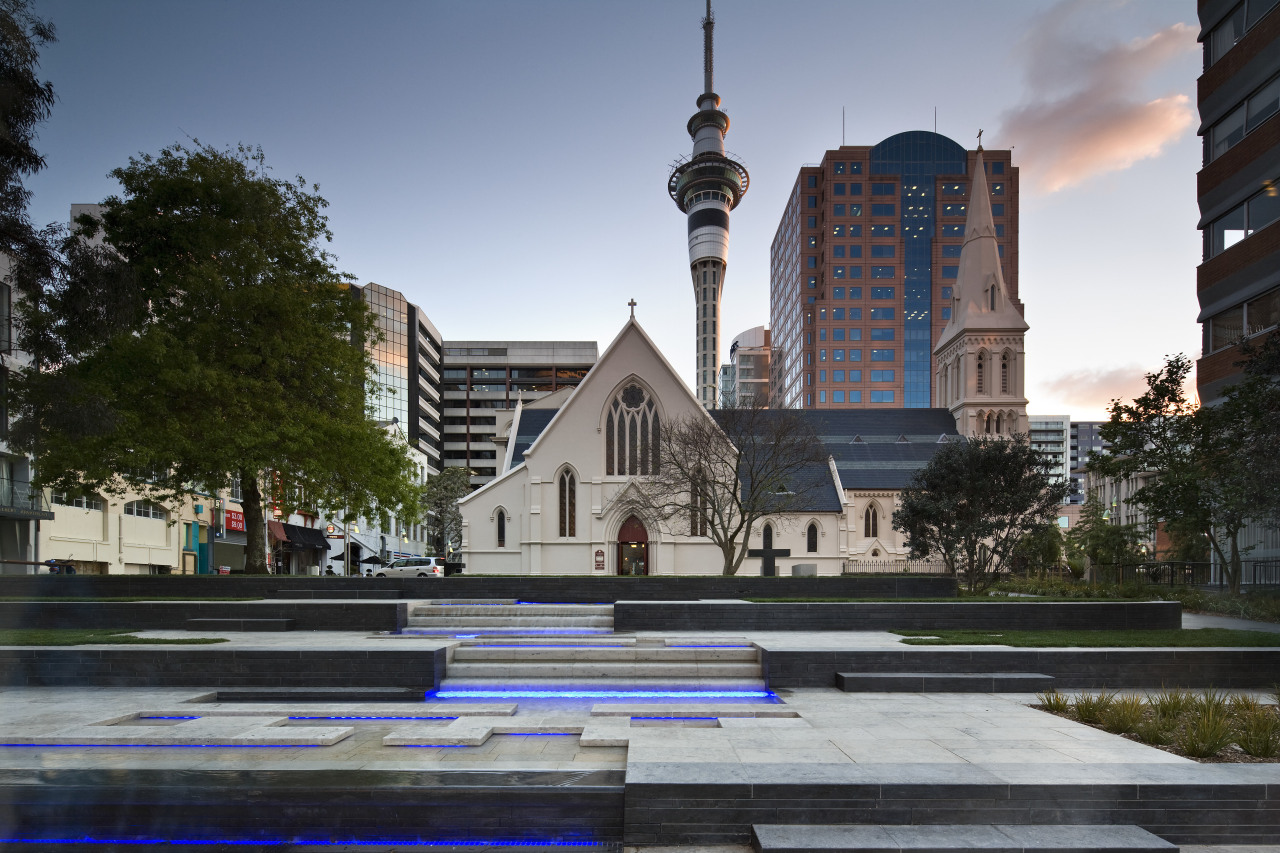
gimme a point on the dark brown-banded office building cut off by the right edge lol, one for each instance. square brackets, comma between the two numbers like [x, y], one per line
[1238, 188]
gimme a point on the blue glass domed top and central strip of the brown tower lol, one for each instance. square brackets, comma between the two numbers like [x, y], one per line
[918, 158]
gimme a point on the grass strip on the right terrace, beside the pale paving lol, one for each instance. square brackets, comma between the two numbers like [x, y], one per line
[1182, 638]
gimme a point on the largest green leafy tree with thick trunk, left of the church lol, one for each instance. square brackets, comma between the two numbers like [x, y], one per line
[196, 334]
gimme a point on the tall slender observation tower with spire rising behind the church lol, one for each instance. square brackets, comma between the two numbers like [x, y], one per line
[706, 188]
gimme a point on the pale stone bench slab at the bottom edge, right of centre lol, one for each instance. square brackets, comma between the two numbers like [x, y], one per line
[936, 840]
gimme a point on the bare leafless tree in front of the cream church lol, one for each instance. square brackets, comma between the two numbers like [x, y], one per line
[720, 473]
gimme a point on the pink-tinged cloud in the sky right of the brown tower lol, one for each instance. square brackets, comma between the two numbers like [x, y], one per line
[1085, 113]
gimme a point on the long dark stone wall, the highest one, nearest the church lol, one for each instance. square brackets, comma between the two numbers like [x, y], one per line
[587, 590]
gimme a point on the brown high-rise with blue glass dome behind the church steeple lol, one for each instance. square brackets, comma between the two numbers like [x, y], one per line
[865, 263]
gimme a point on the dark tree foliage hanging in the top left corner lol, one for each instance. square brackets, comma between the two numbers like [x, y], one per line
[25, 104]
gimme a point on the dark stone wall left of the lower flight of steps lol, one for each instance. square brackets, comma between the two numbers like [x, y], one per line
[212, 667]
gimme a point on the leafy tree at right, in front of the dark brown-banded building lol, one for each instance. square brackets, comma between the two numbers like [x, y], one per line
[1195, 457]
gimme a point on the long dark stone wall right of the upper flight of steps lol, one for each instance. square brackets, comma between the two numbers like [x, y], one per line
[877, 617]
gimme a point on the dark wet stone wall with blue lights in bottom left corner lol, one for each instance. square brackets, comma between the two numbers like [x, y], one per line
[281, 806]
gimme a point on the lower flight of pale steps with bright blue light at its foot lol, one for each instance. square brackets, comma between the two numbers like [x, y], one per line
[611, 665]
